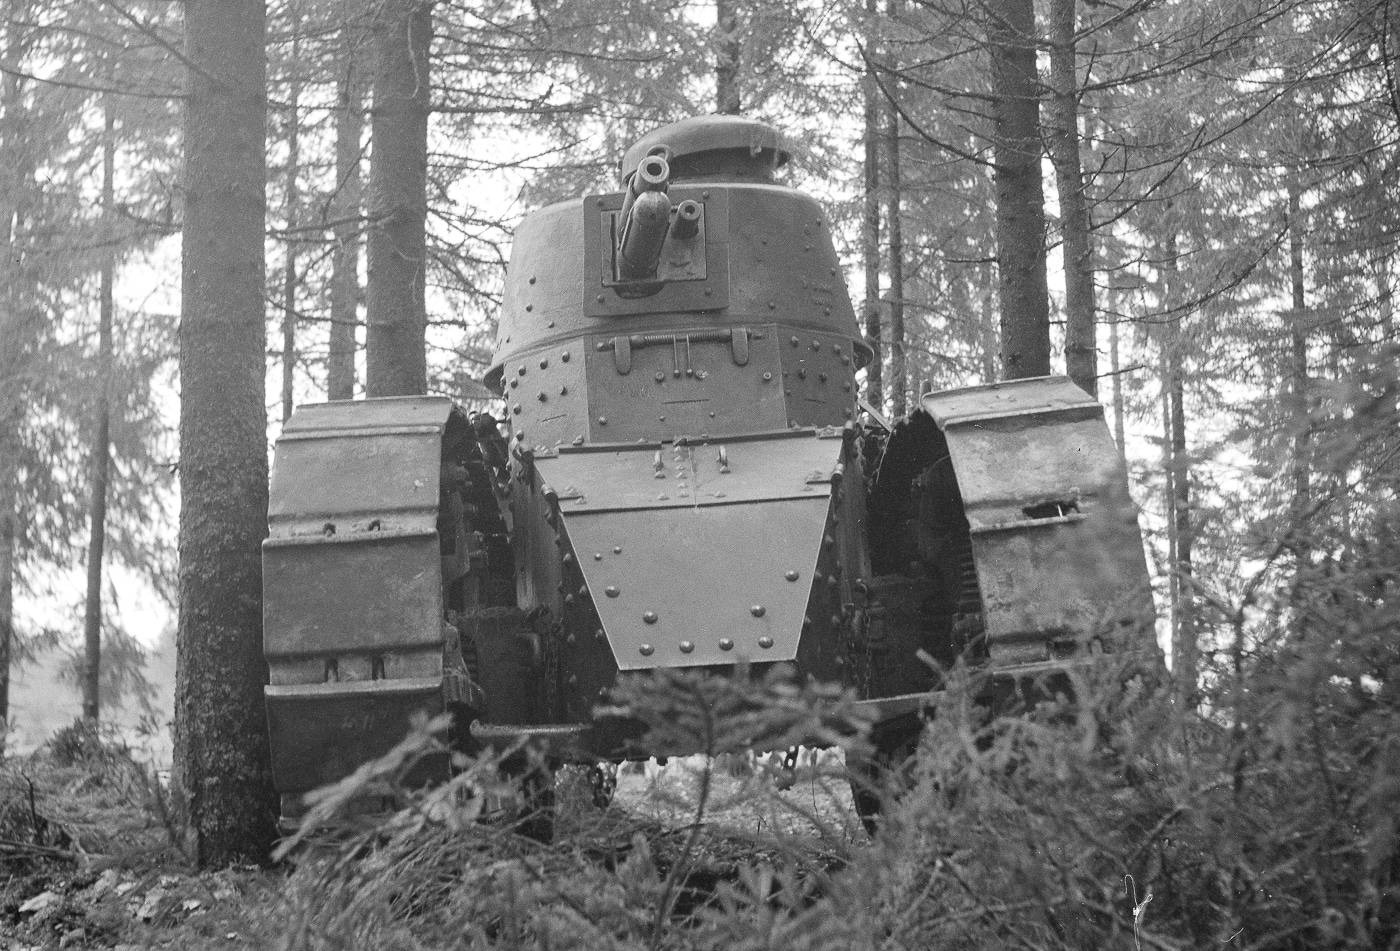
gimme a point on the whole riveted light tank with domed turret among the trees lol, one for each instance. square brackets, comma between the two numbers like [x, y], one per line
[684, 477]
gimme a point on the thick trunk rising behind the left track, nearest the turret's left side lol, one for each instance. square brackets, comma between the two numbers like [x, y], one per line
[395, 342]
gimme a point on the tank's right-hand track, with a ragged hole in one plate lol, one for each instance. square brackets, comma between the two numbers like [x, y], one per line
[1055, 533]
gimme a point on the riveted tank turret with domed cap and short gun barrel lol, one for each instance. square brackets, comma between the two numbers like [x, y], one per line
[702, 299]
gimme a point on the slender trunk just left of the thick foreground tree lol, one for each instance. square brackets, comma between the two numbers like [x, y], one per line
[101, 440]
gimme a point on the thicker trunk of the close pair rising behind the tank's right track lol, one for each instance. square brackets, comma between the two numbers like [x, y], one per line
[1021, 249]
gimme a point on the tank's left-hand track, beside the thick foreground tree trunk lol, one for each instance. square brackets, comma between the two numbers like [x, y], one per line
[353, 586]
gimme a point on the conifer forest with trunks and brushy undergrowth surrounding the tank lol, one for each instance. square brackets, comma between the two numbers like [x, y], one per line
[219, 211]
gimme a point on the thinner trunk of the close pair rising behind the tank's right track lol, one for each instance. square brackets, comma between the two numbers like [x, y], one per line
[1081, 354]
